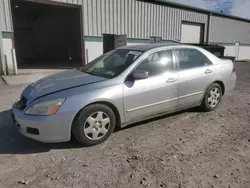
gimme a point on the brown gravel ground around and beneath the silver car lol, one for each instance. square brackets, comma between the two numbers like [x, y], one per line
[187, 149]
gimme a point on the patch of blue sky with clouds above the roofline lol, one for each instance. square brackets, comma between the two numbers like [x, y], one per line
[240, 8]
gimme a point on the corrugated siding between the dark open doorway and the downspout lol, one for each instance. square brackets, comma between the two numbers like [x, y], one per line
[136, 19]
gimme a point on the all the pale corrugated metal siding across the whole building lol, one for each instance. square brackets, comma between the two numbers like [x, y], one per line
[141, 20]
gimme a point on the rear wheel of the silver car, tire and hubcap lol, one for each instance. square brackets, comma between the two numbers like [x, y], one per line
[212, 97]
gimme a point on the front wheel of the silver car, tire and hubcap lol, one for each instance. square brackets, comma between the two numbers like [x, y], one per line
[94, 124]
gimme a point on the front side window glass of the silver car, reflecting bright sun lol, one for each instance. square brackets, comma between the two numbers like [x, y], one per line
[157, 63]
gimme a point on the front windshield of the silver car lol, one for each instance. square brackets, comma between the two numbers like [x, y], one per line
[112, 63]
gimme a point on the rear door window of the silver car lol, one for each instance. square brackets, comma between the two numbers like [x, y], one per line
[189, 58]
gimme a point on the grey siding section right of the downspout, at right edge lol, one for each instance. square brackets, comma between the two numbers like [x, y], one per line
[226, 30]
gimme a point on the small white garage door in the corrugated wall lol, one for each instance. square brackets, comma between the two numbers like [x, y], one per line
[190, 33]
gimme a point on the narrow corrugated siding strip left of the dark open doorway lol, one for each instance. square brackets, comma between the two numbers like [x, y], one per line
[5, 16]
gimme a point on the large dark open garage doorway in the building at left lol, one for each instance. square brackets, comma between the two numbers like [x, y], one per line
[47, 36]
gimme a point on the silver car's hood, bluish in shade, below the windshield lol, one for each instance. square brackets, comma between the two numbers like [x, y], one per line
[58, 82]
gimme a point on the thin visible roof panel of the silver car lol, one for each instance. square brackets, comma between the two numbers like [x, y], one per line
[146, 47]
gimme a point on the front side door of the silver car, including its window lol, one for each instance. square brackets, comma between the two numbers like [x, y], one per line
[156, 94]
